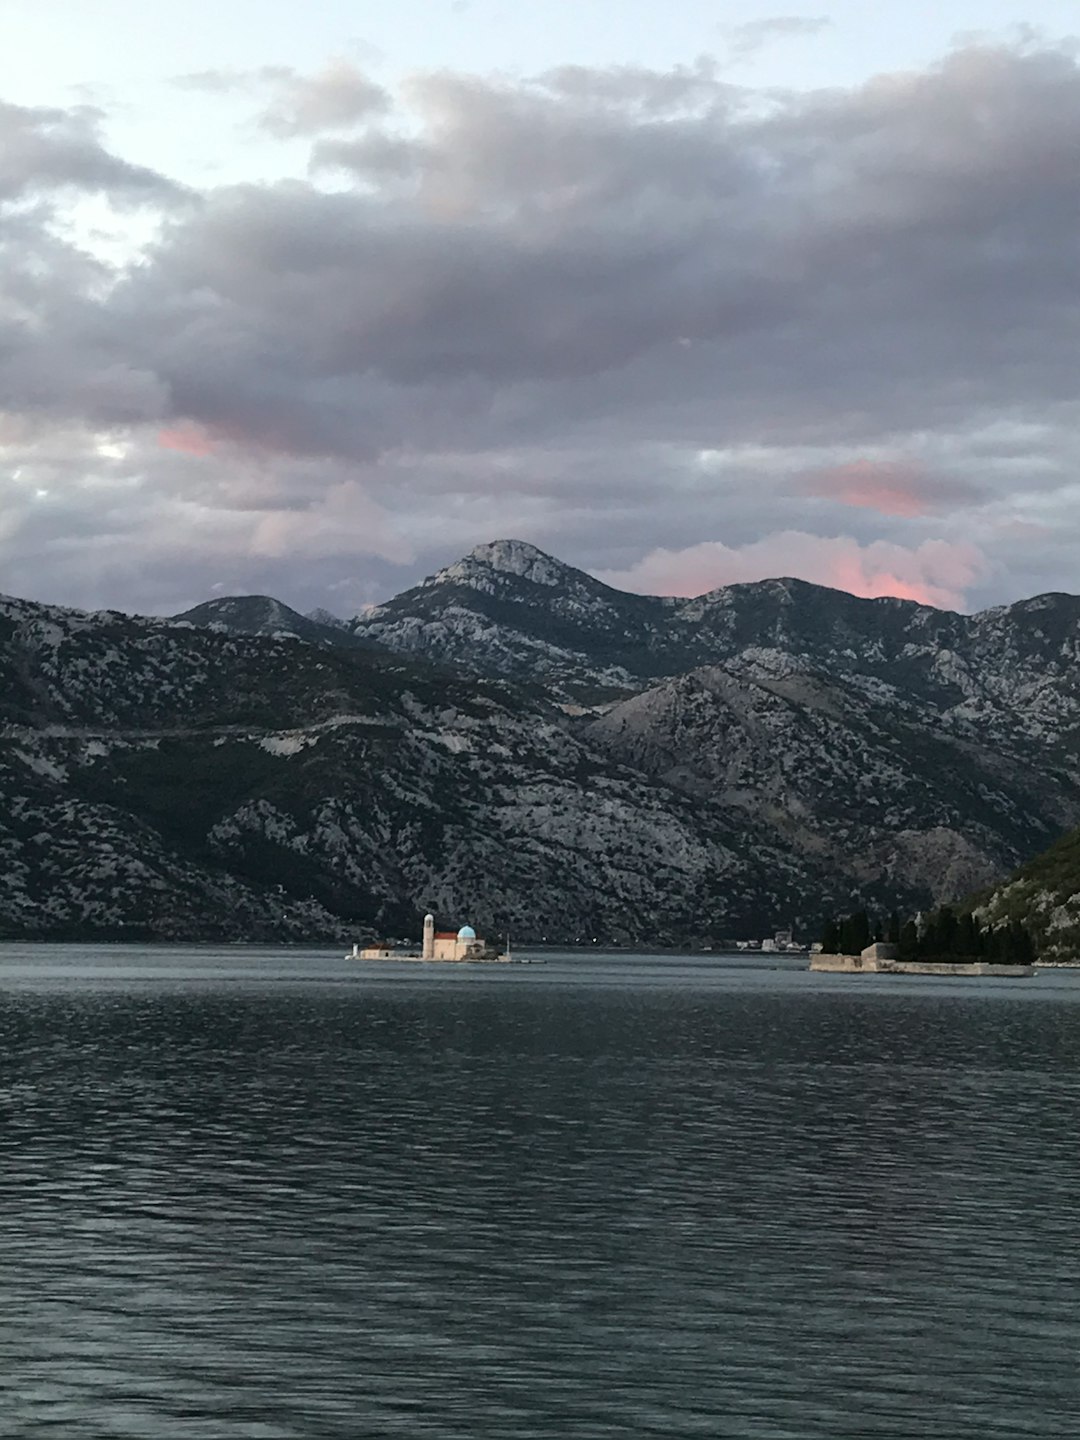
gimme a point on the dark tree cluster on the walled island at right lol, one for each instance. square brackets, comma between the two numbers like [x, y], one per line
[942, 935]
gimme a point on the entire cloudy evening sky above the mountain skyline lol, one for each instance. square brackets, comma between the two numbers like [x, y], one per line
[312, 300]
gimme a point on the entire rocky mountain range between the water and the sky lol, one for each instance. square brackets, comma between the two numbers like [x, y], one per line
[516, 744]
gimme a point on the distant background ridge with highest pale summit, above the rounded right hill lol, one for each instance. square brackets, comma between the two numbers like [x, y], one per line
[509, 610]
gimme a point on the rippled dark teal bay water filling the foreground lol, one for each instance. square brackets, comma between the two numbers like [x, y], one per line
[267, 1194]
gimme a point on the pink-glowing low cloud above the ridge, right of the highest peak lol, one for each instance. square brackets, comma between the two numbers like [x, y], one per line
[938, 572]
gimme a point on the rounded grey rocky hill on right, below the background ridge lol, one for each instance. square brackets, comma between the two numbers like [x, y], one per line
[845, 775]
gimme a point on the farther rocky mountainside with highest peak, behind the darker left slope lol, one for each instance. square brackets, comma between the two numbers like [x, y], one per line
[905, 747]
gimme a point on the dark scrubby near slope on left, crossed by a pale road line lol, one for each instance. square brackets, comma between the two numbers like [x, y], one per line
[175, 781]
